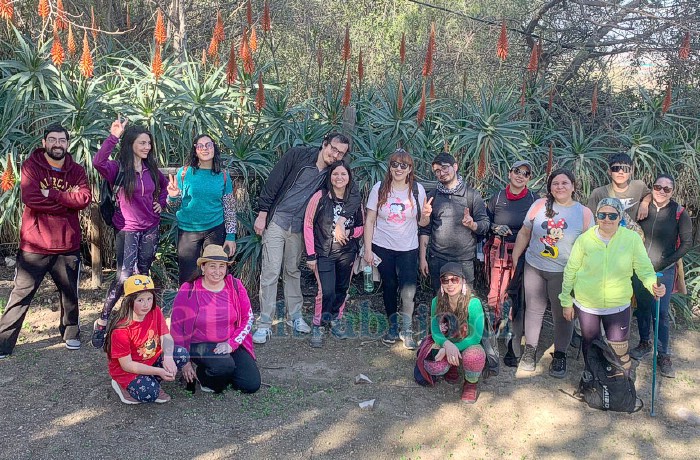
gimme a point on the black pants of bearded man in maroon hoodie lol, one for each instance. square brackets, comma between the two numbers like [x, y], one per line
[31, 269]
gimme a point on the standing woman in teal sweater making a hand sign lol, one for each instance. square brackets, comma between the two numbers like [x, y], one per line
[203, 192]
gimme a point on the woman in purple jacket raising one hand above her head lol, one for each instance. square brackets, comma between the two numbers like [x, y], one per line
[141, 193]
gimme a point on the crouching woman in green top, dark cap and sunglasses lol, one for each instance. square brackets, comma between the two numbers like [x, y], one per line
[457, 324]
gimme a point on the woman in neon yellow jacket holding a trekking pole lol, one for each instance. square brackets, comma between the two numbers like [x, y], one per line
[599, 271]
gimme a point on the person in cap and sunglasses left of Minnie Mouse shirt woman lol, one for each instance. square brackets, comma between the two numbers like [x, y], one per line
[506, 211]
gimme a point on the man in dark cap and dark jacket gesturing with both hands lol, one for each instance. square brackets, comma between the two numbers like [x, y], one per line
[457, 216]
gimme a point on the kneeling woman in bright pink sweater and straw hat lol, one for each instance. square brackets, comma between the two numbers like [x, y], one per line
[212, 318]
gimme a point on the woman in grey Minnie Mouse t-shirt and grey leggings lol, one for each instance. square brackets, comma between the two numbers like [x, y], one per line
[551, 226]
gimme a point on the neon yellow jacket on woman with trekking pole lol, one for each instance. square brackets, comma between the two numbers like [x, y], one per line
[601, 275]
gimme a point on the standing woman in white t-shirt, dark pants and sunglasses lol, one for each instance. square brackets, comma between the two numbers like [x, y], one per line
[391, 234]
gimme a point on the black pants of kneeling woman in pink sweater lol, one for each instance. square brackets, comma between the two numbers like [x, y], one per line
[219, 371]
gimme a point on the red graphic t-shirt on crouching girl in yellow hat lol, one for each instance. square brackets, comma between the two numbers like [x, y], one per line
[141, 340]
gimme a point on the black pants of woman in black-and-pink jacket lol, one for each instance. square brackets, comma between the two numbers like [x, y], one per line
[334, 275]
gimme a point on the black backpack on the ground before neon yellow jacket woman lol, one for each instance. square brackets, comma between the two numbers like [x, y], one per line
[607, 386]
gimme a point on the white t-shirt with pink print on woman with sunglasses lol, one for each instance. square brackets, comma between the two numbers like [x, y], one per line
[397, 226]
